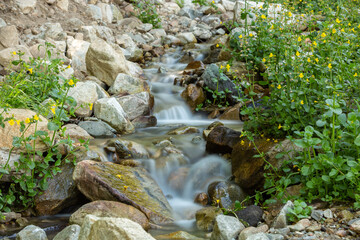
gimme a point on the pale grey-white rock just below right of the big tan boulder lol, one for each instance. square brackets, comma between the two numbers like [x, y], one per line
[125, 84]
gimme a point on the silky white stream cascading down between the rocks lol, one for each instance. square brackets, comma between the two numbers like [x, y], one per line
[171, 112]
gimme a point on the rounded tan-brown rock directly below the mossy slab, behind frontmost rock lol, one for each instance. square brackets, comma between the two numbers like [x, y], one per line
[109, 209]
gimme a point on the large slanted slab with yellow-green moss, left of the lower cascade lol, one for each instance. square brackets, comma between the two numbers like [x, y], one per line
[106, 181]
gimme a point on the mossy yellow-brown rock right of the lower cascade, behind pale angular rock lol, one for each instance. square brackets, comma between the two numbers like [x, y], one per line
[205, 218]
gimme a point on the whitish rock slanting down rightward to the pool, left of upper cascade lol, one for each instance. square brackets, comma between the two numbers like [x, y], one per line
[110, 111]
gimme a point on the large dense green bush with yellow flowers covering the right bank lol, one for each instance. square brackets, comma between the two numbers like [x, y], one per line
[309, 58]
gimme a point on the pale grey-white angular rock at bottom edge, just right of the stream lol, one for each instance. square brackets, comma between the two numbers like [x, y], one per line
[226, 228]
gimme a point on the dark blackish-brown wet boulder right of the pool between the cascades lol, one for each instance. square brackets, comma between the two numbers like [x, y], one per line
[222, 140]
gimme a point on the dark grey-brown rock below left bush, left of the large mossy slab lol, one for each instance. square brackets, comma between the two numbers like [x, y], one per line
[60, 194]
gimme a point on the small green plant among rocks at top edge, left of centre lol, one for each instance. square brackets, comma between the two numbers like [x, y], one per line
[147, 12]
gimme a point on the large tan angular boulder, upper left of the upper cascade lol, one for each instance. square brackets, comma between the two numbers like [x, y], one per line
[103, 62]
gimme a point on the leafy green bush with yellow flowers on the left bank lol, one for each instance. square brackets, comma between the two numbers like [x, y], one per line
[37, 85]
